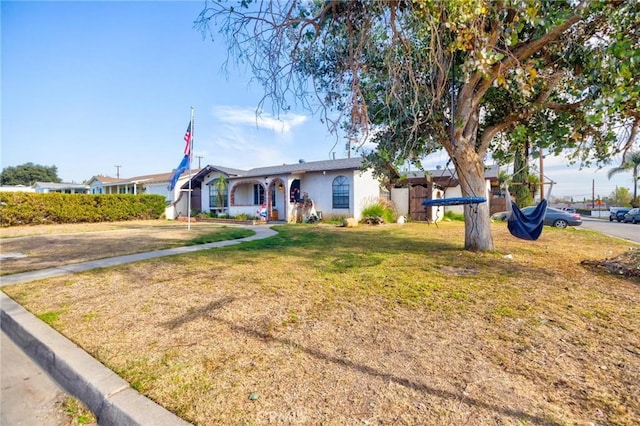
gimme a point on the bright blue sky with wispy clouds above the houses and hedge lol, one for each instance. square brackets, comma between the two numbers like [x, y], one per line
[88, 86]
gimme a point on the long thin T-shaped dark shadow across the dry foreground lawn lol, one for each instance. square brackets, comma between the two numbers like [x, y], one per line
[207, 312]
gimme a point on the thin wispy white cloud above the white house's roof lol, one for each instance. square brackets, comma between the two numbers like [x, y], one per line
[247, 117]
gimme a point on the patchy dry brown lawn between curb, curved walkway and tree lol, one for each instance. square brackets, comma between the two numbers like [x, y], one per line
[377, 325]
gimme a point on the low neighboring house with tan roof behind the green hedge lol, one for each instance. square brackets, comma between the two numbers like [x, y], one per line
[147, 184]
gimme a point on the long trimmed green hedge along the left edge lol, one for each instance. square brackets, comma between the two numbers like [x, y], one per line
[28, 208]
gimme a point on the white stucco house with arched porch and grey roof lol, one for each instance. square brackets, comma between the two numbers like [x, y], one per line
[336, 188]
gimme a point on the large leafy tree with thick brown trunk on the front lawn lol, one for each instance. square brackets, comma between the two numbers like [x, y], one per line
[417, 76]
